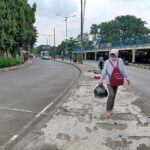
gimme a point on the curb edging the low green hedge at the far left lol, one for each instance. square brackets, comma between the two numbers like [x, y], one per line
[13, 68]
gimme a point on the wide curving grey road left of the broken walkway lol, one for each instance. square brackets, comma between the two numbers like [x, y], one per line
[26, 92]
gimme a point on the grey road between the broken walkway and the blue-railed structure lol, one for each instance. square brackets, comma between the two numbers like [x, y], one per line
[140, 81]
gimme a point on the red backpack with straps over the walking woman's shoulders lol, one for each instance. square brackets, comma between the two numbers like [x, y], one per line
[116, 78]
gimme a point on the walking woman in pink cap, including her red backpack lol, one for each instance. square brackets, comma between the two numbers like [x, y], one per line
[114, 72]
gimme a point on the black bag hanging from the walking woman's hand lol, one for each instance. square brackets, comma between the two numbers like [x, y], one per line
[100, 91]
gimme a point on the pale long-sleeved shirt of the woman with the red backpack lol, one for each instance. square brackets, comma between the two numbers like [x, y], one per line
[108, 69]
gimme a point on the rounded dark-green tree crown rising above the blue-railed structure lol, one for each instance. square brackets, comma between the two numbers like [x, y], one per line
[122, 27]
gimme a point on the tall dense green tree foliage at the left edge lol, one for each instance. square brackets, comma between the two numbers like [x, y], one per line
[16, 29]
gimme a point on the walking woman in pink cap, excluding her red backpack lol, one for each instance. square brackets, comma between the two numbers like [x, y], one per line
[106, 73]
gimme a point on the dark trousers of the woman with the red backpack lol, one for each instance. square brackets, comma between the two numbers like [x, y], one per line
[111, 98]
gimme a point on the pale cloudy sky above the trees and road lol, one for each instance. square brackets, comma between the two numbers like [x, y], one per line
[96, 11]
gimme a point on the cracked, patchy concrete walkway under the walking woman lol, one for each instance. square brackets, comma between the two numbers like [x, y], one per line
[81, 123]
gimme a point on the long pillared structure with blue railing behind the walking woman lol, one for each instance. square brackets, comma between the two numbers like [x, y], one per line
[131, 50]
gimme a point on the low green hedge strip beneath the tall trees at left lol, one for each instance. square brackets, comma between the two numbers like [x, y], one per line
[8, 62]
